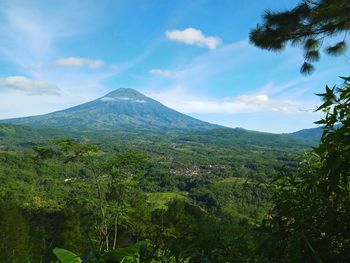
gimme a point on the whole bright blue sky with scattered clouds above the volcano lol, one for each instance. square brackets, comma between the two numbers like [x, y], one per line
[193, 56]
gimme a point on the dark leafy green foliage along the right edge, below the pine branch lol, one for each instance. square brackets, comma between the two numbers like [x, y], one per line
[310, 218]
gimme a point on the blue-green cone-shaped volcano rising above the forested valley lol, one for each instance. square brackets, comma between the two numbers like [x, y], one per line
[122, 109]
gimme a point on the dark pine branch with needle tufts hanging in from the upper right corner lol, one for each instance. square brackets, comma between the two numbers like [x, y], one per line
[307, 25]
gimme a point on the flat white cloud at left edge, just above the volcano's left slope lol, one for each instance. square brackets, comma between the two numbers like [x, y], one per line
[29, 86]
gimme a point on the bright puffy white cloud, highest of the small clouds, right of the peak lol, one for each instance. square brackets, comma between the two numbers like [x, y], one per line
[193, 36]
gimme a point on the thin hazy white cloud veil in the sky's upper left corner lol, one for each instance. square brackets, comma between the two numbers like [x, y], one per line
[29, 31]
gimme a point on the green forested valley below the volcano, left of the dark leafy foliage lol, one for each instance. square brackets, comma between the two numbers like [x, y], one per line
[100, 192]
